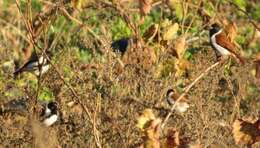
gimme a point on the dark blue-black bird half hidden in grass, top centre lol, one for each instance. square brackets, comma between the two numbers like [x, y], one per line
[120, 45]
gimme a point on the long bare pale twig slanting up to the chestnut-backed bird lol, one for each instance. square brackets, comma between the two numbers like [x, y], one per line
[187, 89]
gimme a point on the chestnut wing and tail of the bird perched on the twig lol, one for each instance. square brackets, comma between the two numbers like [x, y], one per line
[223, 41]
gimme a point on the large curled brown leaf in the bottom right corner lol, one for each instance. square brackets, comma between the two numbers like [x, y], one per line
[245, 132]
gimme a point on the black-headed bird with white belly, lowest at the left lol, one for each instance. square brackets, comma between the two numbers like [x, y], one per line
[50, 113]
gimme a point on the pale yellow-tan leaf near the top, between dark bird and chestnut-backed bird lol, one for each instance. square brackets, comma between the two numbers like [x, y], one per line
[171, 32]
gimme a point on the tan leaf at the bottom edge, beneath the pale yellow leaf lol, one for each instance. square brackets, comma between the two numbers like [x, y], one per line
[152, 135]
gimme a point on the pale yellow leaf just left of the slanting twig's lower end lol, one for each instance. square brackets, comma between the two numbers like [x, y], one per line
[145, 117]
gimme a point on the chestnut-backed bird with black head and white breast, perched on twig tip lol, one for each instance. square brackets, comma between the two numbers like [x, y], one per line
[222, 45]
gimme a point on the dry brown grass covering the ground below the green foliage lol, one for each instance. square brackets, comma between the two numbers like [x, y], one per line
[115, 97]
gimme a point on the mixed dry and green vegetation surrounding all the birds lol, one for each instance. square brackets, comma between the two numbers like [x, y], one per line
[101, 94]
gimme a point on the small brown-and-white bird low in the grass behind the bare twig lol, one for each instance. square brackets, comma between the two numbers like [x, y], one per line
[181, 105]
